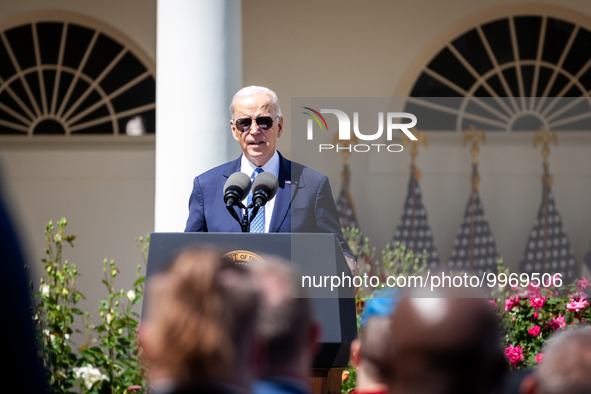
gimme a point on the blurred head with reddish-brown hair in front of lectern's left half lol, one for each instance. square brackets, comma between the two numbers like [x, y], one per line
[200, 324]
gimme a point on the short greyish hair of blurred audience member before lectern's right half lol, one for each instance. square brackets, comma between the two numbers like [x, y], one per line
[286, 317]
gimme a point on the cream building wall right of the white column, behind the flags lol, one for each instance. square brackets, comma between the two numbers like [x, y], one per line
[365, 49]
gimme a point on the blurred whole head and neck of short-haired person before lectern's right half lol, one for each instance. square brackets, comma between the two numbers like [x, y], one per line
[286, 325]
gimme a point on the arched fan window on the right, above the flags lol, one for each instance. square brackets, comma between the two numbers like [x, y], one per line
[513, 73]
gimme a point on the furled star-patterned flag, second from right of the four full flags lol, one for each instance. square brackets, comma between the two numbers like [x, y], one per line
[475, 247]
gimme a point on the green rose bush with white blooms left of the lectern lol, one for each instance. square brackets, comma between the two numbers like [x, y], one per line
[110, 361]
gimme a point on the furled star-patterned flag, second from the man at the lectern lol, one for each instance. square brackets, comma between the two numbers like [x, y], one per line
[414, 231]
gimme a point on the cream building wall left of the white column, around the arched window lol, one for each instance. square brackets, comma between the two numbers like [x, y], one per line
[106, 191]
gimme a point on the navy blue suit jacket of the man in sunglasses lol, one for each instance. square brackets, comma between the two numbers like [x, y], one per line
[303, 202]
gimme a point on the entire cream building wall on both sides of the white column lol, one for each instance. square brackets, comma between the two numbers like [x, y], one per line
[299, 49]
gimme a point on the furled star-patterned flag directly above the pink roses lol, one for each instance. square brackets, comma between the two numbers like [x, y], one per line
[548, 248]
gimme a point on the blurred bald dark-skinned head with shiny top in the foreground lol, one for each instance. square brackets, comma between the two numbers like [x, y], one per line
[446, 345]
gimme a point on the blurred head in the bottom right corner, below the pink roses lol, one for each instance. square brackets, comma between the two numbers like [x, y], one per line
[566, 368]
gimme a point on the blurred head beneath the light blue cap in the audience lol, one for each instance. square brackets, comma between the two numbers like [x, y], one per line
[372, 355]
